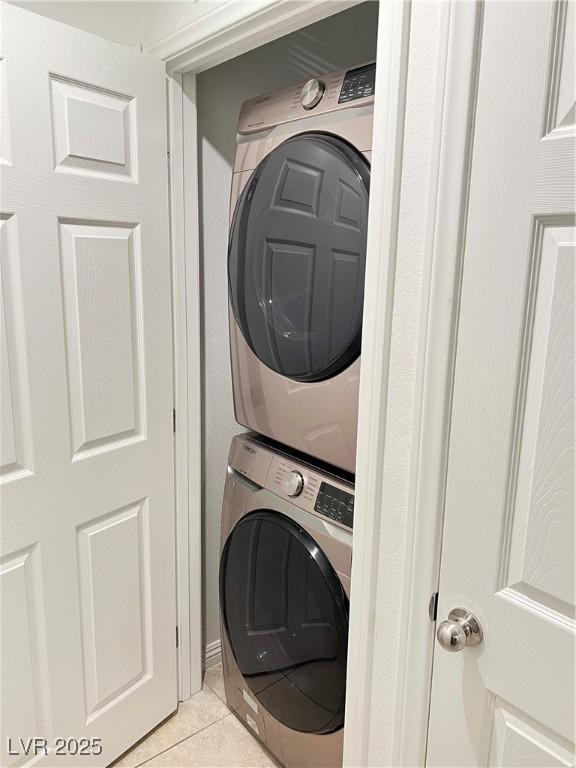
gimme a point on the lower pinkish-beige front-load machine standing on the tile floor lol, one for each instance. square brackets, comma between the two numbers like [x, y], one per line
[285, 560]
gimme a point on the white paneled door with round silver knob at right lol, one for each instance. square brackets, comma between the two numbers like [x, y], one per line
[508, 546]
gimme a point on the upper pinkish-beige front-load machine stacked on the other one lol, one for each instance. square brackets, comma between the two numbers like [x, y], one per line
[296, 262]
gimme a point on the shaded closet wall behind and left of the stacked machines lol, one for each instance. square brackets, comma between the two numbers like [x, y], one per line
[339, 41]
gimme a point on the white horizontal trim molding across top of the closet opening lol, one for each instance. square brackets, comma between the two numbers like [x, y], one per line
[233, 27]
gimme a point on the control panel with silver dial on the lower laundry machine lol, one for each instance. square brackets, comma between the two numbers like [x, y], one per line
[312, 489]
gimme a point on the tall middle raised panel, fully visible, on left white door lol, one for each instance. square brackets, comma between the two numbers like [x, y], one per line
[101, 277]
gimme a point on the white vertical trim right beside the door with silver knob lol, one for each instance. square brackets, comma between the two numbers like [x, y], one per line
[457, 68]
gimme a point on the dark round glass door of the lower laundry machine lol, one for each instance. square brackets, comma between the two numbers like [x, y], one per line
[286, 617]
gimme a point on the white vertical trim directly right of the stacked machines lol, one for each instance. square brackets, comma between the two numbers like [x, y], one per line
[391, 68]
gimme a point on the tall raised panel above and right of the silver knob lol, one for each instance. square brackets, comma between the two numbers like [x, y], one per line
[541, 561]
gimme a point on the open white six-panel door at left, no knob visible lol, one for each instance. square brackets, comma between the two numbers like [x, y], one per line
[87, 572]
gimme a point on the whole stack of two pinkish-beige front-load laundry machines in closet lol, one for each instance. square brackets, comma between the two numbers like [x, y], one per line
[296, 262]
